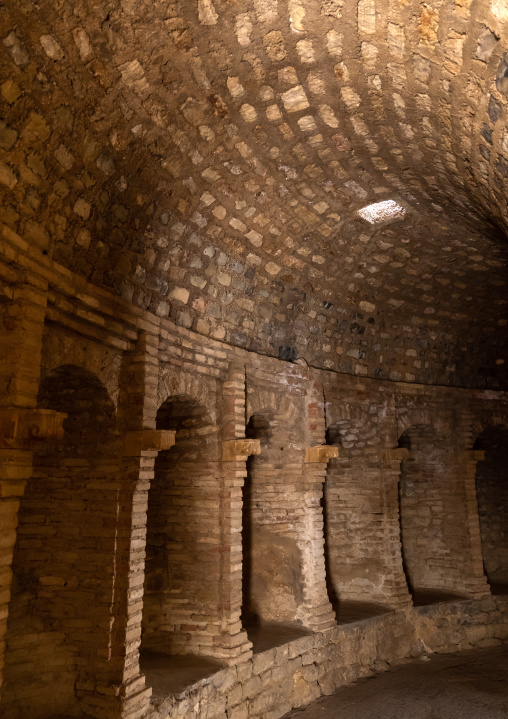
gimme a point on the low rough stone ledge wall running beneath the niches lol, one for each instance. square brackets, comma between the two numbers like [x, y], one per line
[294, 674]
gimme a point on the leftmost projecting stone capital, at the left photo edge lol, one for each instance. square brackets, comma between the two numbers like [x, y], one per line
[20, 428]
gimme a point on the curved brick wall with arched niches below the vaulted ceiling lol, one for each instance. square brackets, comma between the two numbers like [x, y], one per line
[76, 507]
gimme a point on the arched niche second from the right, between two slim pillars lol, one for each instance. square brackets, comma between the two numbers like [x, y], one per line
[432, 510]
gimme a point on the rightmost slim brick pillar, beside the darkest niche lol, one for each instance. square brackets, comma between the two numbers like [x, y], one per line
[475, 581]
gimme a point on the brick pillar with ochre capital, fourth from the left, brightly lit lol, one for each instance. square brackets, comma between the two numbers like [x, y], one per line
[315, 612]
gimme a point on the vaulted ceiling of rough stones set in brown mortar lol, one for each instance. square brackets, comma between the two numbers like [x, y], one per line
[207, 161]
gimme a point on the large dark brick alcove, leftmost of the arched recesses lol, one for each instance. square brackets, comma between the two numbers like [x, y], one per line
[59, 637]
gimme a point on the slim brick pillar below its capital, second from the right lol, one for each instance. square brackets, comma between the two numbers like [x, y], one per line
[395, 586]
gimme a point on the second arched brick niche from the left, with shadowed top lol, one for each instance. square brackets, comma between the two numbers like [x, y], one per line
[181, 612]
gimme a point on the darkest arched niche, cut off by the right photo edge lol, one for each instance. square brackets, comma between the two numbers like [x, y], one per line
[492, 495]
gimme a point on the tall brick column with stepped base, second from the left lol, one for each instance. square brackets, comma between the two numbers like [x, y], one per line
[123, 692]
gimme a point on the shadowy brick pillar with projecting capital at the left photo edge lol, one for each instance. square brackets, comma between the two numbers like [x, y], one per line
[21, 328]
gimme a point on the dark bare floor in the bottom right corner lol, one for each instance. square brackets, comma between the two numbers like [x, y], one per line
[467, 685]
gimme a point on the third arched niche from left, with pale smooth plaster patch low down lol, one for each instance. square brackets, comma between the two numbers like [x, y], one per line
[272, 572]
